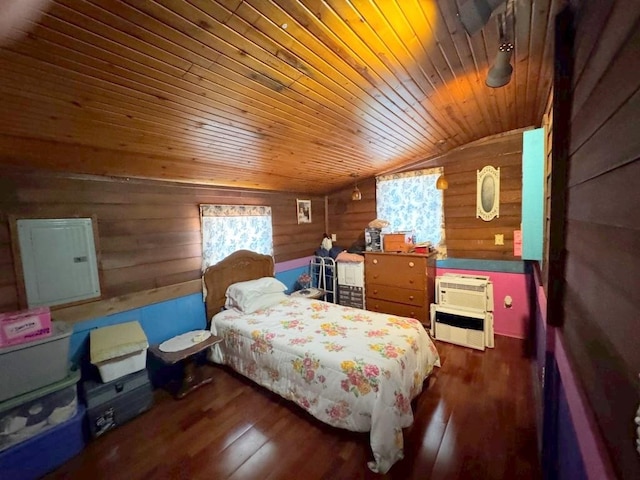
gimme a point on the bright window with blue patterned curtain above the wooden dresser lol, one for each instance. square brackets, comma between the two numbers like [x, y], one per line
[410, 201]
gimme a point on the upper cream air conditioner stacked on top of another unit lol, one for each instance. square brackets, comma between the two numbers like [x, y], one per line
[468, 292]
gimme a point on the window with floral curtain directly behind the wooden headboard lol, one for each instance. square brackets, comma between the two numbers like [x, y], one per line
[227, 228]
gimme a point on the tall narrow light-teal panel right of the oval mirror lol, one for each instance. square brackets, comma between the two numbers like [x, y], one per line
[533, 194]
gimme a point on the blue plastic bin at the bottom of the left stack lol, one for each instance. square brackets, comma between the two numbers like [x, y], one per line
[45, 452]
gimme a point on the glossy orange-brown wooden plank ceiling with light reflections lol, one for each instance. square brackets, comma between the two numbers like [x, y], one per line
[290, 95]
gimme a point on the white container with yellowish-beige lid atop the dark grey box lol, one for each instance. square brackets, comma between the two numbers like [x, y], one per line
[118, 350]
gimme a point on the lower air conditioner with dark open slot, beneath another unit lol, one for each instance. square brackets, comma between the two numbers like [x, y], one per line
[462, 327]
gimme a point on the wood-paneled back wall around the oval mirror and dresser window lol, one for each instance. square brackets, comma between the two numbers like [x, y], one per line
[466, 235]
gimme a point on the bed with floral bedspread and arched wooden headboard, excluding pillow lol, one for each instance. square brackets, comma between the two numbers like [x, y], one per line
[349, 368]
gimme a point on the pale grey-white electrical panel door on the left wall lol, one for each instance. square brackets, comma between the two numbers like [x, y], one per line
[58, 260]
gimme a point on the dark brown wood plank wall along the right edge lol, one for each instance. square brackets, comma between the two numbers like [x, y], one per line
[599, 299]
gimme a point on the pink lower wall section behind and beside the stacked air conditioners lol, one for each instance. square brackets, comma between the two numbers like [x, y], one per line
[510, 322]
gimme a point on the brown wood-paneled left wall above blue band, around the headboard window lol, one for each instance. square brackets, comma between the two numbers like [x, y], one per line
[149, 232]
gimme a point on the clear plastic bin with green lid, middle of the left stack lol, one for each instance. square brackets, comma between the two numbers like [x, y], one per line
[27, 415]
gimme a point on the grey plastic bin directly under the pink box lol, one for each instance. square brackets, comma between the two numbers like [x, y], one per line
[33, 365]
